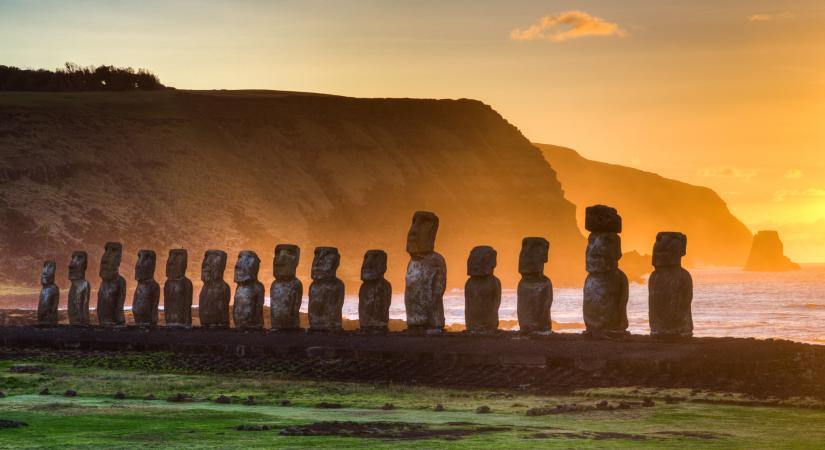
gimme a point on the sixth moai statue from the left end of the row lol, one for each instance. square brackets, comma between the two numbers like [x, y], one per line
[213, 302]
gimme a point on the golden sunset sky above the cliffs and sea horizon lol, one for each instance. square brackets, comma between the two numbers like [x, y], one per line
[725, 94]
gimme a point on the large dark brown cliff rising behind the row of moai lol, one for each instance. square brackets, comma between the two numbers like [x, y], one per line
[250, 170]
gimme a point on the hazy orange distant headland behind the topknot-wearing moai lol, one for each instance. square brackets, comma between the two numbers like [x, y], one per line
[650, 203]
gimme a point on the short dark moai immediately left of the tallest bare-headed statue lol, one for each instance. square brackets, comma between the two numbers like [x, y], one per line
[375, 295]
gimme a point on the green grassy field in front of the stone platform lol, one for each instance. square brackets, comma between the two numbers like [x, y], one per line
[287, 413]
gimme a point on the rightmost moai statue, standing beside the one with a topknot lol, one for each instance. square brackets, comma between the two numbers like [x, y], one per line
[670, 288]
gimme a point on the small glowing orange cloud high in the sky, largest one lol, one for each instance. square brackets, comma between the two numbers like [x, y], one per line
[565, 26]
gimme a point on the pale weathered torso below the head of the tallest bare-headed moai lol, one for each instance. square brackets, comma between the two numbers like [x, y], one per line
[424, 291]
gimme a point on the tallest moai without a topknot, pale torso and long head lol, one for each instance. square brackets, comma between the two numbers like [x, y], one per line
[426, 277]
